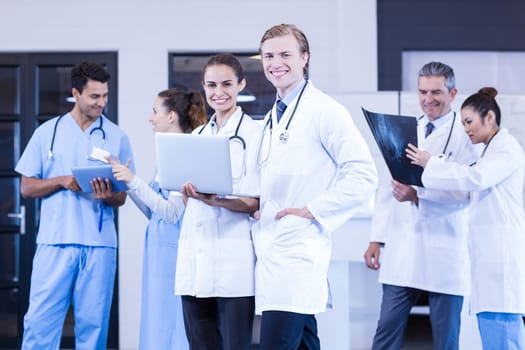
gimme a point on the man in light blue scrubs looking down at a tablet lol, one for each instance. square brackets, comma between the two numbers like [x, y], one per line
[76, 254]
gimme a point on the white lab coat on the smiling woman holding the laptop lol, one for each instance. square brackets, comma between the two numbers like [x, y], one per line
[216, 256]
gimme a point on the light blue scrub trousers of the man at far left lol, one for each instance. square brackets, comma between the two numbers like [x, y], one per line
[65, 274]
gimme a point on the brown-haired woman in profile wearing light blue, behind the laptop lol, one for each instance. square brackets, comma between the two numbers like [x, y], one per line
[162, 324]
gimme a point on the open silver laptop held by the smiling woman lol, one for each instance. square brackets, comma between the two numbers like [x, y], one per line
[203, 160]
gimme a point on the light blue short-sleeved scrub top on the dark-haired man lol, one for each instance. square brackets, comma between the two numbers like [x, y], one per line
[68, 217]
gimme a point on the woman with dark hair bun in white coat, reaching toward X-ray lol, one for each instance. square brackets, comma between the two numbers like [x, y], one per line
[497, 225]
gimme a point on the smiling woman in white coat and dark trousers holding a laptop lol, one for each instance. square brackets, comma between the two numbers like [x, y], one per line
[215, 266]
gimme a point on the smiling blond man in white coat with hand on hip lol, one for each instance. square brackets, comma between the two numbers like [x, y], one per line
[316, 173]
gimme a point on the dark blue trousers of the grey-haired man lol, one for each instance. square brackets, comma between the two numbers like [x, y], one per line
[445, 317]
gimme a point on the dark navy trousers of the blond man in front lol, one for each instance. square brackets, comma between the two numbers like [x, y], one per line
[281, 330]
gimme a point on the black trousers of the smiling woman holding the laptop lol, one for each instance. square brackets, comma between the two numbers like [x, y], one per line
[218, 323]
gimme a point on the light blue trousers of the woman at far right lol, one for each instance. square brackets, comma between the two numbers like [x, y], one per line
[501, 331]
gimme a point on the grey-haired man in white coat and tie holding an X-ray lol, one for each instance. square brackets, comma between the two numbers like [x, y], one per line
[424, 232]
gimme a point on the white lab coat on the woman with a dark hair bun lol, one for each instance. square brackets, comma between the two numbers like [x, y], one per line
[497, 225]
